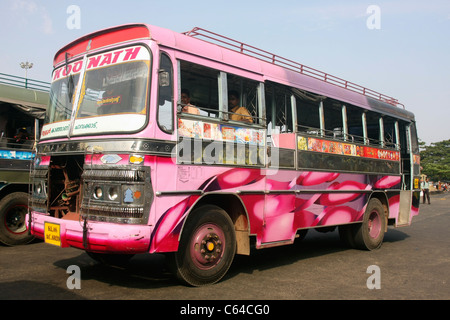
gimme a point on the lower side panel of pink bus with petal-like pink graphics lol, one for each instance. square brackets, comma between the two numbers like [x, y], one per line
[278, 206]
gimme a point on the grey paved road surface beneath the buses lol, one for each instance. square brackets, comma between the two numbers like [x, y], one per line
[413, 263]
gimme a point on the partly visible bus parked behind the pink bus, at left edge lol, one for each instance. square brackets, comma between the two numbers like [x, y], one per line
[22, 112]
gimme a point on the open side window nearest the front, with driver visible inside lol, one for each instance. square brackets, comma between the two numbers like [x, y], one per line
[203, 88]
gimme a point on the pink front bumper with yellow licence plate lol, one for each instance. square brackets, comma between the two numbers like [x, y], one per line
[92, 236]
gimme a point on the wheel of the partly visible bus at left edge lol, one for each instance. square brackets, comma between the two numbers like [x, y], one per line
[13, 228]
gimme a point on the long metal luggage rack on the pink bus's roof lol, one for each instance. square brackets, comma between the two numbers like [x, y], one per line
[266, 56]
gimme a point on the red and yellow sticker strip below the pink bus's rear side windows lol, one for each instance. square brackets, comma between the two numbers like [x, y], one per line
[347, 149]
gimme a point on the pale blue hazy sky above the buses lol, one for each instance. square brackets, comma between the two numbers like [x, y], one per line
[400, 48]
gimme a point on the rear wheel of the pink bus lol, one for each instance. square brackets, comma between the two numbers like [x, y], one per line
[369, 234]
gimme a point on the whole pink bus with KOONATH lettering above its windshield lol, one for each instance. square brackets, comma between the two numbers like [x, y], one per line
[201, 147]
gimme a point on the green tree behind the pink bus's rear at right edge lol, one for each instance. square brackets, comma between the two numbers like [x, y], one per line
[435, 160]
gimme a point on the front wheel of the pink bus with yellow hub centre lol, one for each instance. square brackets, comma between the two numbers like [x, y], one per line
[207, 247]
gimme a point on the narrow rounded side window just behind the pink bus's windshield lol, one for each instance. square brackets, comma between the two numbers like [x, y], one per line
[165, 94]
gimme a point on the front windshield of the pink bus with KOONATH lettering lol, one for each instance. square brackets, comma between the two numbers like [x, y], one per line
[110, 97]
